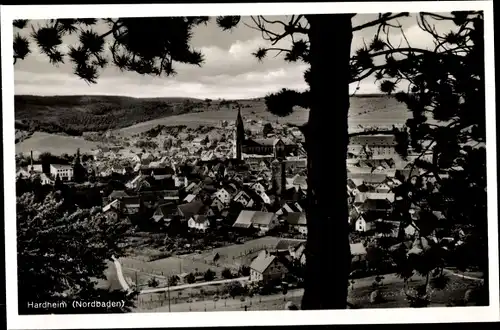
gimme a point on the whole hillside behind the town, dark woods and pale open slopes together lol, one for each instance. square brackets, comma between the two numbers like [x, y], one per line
[74, 115]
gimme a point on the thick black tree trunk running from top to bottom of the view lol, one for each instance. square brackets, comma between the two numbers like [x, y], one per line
[328, 257]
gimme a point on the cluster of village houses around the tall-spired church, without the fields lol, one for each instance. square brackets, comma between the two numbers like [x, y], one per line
[246, 183]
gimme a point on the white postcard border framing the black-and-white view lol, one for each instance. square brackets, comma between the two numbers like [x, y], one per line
[201, 319]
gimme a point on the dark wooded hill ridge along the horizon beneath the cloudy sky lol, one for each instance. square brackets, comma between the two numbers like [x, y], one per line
[74, 115]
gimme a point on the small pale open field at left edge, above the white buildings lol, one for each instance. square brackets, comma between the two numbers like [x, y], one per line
[55, 144]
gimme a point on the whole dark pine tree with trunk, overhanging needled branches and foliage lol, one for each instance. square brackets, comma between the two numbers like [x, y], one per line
[328, 78]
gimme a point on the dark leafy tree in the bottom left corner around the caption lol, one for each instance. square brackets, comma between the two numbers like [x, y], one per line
[62, 254]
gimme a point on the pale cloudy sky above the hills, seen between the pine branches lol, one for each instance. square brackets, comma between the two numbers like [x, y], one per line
[229, 71]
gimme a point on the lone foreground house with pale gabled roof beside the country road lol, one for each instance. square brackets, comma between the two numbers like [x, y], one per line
[266, 268]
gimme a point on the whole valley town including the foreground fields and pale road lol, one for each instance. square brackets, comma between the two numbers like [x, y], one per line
[220, 211]
